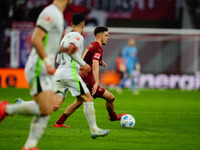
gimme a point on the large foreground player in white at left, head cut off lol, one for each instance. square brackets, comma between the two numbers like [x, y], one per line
[39, 70]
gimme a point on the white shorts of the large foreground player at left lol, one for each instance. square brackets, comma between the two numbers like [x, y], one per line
[41, 83]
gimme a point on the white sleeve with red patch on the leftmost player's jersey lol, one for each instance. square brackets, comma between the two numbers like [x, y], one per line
[46, 21]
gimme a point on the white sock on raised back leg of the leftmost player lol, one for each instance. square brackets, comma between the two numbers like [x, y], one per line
[25, 108]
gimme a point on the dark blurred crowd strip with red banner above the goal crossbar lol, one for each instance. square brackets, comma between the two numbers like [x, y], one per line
[134, 13]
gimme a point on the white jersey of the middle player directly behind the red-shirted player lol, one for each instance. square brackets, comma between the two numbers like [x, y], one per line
[69, 68]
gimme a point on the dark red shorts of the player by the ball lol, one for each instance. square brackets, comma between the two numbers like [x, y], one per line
[90, 83]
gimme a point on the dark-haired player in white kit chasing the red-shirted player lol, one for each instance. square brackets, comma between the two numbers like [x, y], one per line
[67, 75]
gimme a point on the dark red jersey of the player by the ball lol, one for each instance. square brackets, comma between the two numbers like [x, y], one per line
[93, 51]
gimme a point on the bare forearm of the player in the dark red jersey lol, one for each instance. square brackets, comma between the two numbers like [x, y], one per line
[95, 69]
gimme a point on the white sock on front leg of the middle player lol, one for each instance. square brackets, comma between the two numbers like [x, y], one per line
[90, 115]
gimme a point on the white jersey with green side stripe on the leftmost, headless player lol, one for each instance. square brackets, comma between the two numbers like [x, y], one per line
[52, 21]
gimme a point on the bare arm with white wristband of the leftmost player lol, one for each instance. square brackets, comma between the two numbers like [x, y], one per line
[37, 41]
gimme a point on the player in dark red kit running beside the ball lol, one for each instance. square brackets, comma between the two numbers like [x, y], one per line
[93, 56]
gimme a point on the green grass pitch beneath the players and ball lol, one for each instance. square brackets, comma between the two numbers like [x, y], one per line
[165, 120]
